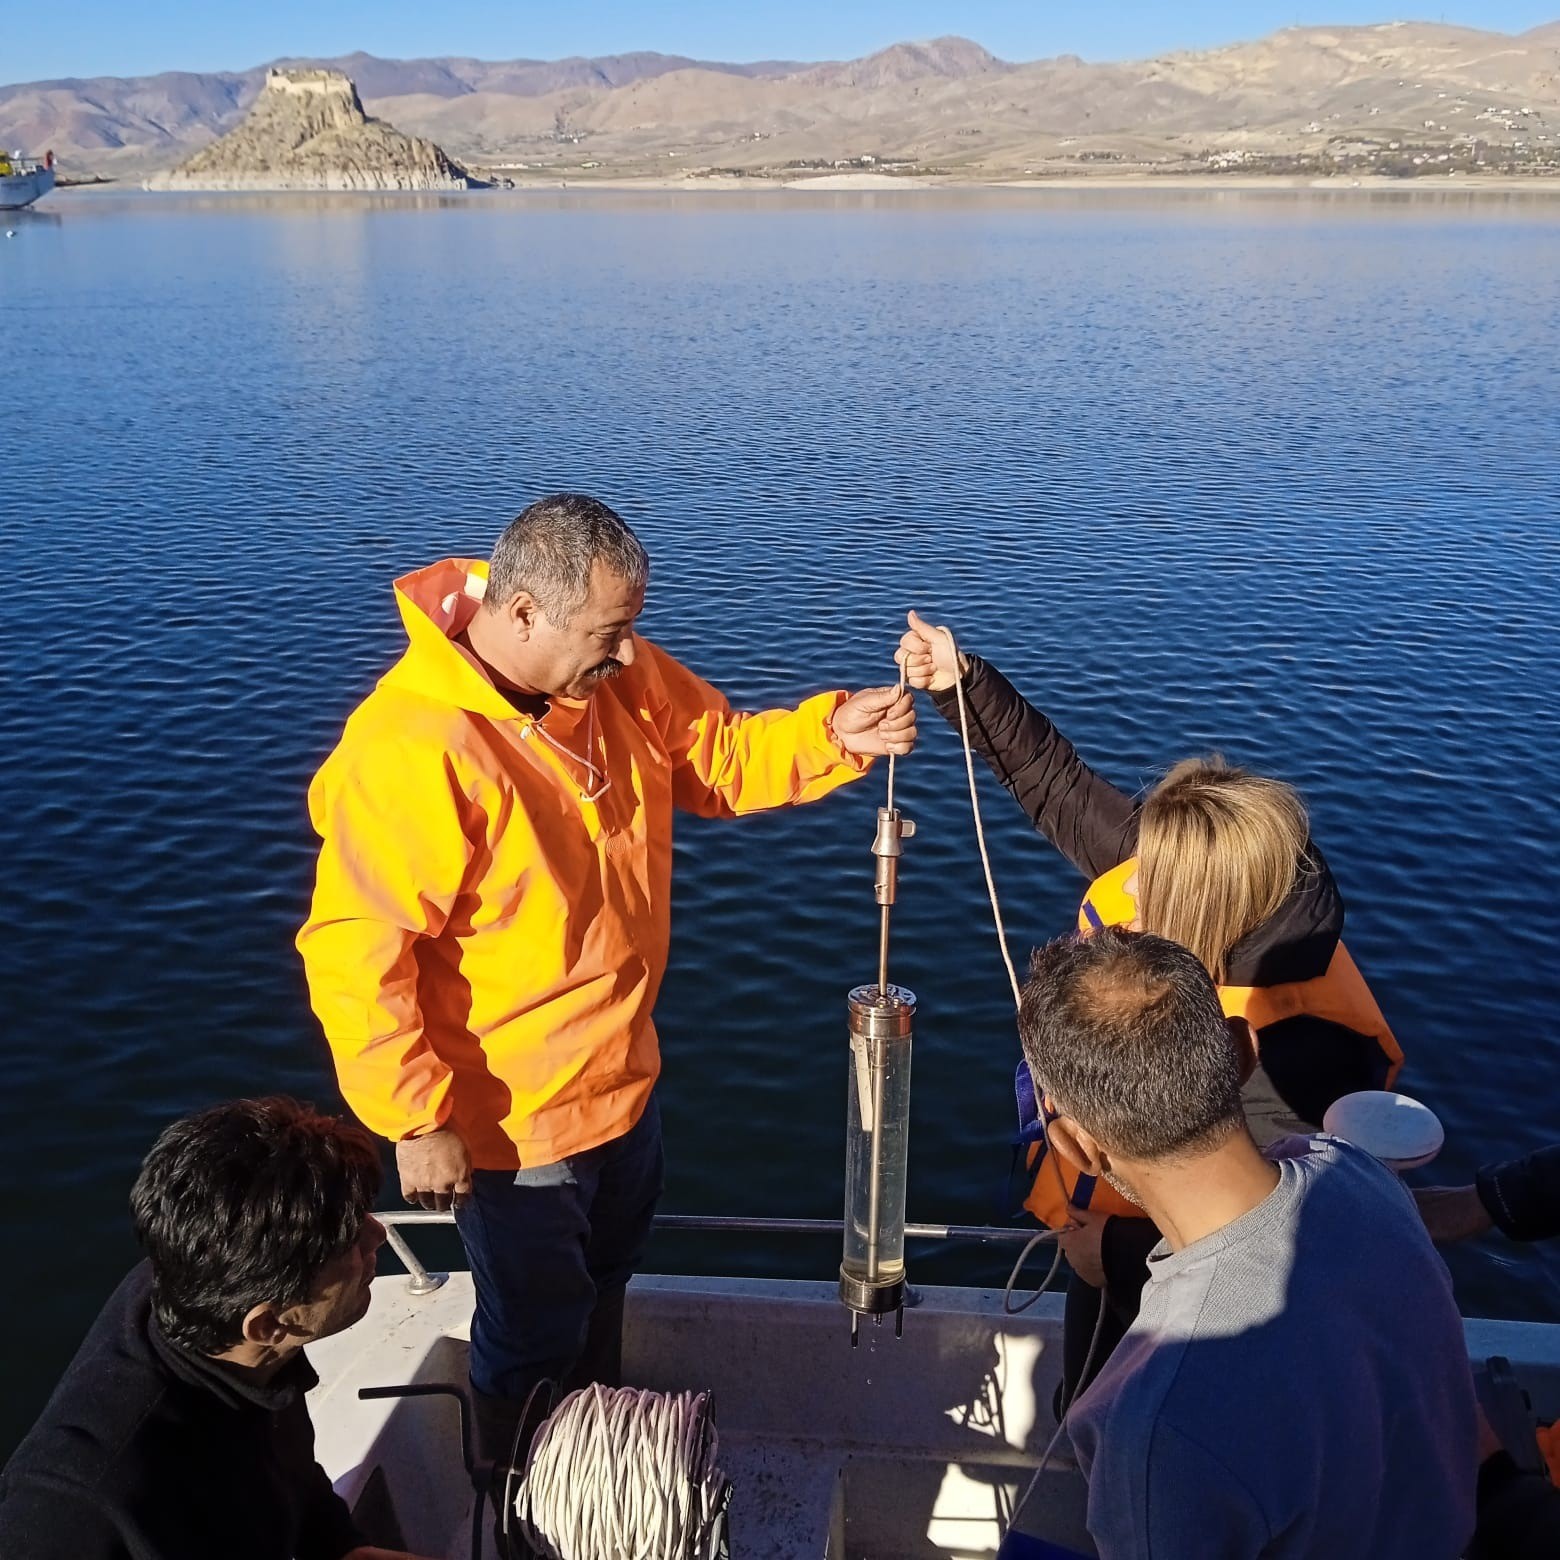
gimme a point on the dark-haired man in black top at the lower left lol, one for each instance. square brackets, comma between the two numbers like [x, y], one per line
[180, 1431]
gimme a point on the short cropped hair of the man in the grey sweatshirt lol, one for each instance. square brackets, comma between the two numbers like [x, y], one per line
[1126, 1033]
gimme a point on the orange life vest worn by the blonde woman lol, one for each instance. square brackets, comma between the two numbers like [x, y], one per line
[1339, 996]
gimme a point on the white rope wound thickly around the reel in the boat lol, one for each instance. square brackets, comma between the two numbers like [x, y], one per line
[623, 1473]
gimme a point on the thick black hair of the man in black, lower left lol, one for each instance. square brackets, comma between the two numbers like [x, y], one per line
[244, 1205]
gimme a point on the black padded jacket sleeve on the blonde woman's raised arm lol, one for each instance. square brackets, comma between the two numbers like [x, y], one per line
[1091, 823]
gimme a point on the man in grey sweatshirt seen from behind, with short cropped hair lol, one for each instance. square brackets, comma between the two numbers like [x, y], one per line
[1297, 1381]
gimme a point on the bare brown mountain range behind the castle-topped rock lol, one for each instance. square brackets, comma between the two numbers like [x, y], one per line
[945, 105]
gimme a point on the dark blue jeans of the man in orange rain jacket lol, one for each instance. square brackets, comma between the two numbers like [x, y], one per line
[551, 1253]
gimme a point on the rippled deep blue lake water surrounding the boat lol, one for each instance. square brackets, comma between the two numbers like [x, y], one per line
[1269, 475]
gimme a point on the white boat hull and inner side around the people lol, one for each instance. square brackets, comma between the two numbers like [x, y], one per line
[902, 1450]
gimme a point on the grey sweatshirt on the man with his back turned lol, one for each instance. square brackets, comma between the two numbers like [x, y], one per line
[1296, 1384]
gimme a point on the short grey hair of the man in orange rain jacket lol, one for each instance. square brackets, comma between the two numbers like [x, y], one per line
[551, 547]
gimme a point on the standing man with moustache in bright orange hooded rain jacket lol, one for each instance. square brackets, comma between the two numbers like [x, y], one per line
[492, 912]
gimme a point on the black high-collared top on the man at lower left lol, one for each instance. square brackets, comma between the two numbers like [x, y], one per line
[147, 1452]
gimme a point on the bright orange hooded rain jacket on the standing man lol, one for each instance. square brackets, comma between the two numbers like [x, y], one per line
[486, 946]
